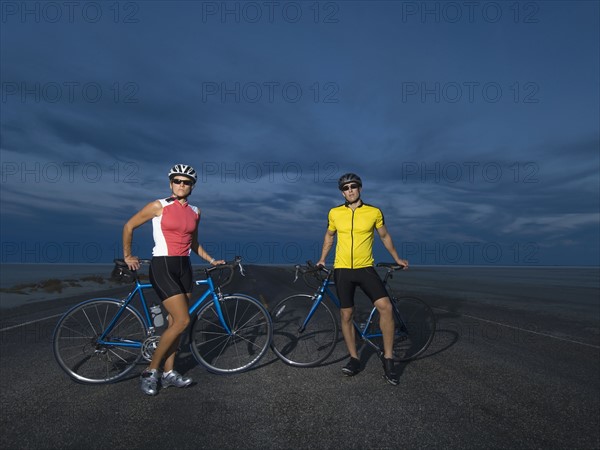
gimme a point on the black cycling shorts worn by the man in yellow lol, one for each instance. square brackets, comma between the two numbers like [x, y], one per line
[346, 281]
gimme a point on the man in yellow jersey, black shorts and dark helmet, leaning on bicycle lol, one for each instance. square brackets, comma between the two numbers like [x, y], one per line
[355, 223]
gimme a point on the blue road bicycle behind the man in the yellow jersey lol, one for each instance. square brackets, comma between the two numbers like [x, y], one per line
[305, 331]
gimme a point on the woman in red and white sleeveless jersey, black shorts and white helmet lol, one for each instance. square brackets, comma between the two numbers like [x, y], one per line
[175, 231]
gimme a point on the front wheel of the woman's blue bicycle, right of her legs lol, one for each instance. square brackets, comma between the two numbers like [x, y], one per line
[222, 352]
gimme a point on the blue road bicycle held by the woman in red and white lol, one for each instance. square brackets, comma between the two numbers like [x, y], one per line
[101, 340]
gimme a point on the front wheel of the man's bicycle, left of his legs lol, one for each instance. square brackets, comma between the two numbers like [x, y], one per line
[303, 347]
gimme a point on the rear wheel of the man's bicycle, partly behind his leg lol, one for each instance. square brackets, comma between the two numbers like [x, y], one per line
[415, 328]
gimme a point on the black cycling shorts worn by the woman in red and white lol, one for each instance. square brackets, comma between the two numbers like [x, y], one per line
[171, 275]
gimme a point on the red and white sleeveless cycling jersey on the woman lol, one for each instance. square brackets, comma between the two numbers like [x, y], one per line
[173, 229]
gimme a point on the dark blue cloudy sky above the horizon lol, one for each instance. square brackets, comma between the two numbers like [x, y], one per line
[474, 125]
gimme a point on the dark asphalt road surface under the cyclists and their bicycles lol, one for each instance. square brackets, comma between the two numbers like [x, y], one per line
[498, 375]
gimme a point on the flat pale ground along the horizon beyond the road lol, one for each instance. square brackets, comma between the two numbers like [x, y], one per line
[49, 282]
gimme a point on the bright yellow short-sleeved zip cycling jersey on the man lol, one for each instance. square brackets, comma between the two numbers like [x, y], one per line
[355, 233]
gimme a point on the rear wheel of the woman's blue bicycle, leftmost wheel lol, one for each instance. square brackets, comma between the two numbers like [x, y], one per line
[76, 346]
